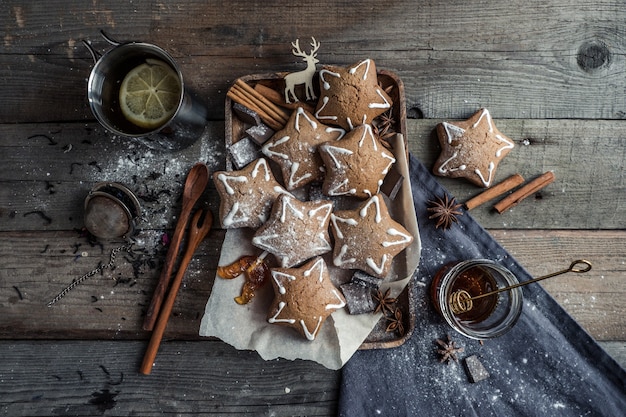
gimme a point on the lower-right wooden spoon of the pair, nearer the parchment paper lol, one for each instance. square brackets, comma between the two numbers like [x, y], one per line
[197, 232]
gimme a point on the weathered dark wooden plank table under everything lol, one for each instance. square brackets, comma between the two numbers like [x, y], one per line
[551, 72]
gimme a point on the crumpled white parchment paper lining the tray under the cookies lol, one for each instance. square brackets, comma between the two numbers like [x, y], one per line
[246, 327]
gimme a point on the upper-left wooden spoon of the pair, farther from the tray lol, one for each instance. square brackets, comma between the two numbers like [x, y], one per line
[196, 182]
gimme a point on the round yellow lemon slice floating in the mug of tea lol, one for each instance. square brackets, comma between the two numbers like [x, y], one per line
[149, 94]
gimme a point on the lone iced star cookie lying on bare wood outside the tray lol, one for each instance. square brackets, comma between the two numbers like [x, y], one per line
[471, 149]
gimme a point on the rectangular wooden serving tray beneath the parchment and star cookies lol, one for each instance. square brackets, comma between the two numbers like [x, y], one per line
[235, 129]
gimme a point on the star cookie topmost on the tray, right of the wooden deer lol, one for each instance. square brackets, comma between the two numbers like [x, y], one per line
[351, 96]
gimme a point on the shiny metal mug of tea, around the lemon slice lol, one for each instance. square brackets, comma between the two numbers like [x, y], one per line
[181, 130]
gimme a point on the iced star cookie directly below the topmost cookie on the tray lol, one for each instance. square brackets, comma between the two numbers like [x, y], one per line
[355, 165]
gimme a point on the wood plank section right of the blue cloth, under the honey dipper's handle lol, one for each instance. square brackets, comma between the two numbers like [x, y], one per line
[543, 252]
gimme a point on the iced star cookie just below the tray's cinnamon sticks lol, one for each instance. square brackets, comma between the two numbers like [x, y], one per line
[294, 148]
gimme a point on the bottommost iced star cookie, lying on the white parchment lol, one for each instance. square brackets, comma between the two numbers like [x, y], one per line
[304, 297]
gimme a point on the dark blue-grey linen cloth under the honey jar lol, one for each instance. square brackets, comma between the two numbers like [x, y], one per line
[547, 365]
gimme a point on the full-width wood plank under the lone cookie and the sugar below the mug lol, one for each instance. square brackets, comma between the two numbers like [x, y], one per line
[56, 180]
